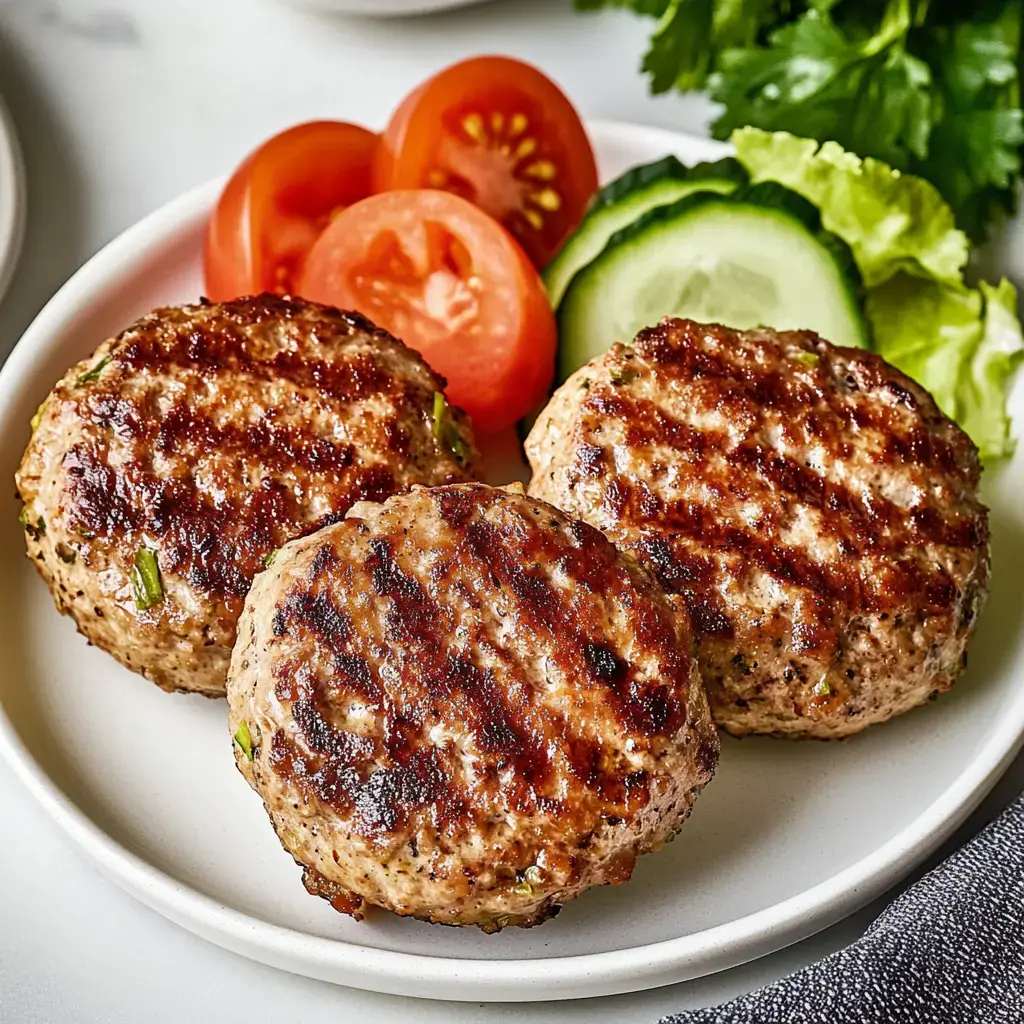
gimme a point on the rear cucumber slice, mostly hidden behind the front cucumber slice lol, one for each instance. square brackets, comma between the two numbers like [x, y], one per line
[620, 203]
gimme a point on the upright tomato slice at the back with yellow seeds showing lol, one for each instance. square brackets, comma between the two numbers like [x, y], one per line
[503, 136]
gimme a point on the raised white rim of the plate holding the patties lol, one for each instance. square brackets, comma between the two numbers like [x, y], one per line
[630, 969]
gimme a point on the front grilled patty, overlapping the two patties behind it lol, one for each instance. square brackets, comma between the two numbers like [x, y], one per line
[464, 706]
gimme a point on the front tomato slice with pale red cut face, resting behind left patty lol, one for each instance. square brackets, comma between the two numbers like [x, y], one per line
[453, 284]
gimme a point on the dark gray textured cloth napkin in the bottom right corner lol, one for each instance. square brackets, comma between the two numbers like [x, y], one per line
[950, 951]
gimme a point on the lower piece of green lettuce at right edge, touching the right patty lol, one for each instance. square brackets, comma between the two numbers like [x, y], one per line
[961, 345]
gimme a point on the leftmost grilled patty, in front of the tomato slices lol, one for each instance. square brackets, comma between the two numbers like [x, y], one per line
[209, 436]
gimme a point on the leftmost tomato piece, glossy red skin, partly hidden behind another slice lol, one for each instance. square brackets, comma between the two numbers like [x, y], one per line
[278, 203]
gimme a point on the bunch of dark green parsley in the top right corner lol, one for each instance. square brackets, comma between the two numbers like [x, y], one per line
[927, 87]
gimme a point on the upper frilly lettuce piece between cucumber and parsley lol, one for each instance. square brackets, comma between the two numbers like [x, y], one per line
[893, 223]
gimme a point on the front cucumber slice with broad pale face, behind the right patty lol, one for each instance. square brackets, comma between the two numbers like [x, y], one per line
[757, 257]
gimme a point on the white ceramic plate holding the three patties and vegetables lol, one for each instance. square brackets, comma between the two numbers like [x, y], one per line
[788, 839]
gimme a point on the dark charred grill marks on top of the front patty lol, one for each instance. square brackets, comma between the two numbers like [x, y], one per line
[523, 742]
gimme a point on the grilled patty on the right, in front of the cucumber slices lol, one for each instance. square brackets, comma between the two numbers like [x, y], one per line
[813, 506]
